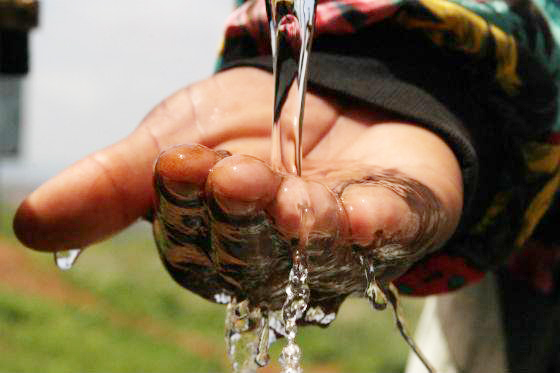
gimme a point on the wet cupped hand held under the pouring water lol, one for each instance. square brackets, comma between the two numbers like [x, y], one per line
[375, 185]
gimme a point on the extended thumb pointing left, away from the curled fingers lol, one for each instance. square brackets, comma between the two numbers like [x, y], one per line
[108, 190]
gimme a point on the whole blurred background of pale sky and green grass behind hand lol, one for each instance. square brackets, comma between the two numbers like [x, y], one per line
[95, 69]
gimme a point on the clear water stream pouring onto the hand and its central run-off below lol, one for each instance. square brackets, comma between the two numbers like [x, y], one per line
[291, 32]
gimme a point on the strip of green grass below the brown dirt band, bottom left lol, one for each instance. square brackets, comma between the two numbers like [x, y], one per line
[39, 336]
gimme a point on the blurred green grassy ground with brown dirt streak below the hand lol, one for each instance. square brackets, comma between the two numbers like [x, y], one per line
[138, 320]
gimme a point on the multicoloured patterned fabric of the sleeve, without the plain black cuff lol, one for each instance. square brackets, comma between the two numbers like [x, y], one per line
[512, 41]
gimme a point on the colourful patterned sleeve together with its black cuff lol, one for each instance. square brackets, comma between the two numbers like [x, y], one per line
[484, 75]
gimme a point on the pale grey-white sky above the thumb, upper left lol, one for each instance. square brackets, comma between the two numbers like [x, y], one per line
[99, 66]
